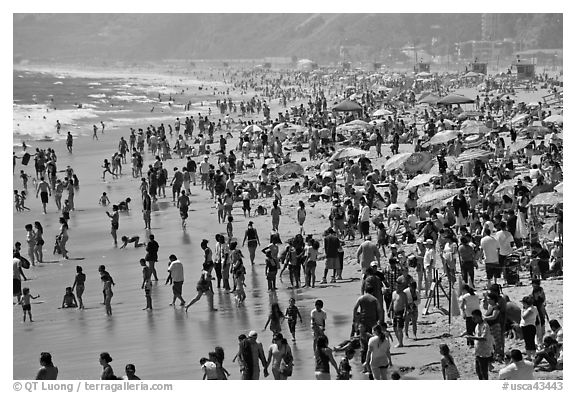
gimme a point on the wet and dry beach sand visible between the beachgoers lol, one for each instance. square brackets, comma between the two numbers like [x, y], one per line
[167, 342]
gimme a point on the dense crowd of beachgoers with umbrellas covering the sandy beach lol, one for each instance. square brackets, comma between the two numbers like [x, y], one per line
[483, 220]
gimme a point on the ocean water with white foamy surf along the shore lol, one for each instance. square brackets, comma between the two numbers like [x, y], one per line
[79, 100]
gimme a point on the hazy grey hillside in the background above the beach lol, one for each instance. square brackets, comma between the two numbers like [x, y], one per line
[108, 37]
